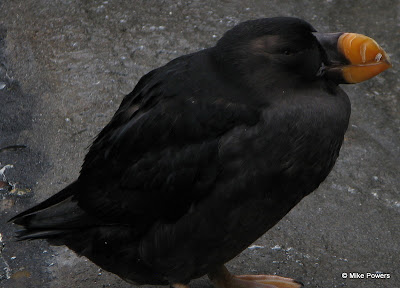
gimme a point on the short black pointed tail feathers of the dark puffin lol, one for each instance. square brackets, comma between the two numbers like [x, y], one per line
[55, 216]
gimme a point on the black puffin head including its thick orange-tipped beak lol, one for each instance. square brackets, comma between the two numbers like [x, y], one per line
[284, 51]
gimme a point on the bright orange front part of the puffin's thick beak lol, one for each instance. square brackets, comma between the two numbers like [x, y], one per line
[367, 59]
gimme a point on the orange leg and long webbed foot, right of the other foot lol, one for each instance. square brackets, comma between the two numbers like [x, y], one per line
[221, 278]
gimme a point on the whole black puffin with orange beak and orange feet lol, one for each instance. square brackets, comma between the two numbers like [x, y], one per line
[209, 152]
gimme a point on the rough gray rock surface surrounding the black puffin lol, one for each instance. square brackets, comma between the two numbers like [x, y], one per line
[65, 66]
